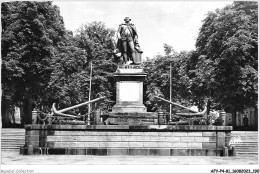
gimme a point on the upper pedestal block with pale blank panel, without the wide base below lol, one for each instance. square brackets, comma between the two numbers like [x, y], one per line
[129, 89]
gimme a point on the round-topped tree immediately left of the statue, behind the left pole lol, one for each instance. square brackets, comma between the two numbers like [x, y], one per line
[97, 41]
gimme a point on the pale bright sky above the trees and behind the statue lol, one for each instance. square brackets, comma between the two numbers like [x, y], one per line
[175, 23]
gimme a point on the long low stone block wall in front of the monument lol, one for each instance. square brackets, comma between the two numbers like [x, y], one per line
[123, 139]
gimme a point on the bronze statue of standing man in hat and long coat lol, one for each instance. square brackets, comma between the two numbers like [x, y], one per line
[128, 44]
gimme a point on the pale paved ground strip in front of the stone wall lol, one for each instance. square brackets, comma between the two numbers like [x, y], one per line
[13, 158]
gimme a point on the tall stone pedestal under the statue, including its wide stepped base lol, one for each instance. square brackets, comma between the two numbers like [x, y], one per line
[129, 108]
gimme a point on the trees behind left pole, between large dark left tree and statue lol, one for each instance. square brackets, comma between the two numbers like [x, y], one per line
[70, 79]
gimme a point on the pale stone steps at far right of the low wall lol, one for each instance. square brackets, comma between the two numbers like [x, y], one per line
[245, 142]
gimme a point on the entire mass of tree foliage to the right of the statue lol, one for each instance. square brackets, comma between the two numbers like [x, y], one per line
[222, 69]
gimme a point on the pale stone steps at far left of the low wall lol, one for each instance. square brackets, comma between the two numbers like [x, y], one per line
[12, 139]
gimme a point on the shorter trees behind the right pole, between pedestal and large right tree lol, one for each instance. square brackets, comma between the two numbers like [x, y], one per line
[157, 82]
